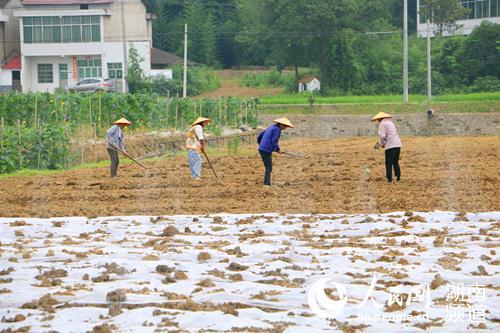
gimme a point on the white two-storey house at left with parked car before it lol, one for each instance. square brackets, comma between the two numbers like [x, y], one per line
[64, 41]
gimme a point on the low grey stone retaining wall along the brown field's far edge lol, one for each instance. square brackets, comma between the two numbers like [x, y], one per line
[454, 124]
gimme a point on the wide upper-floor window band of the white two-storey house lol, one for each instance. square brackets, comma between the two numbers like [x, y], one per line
[65, 29]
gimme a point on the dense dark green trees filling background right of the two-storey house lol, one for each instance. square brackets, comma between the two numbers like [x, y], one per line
[355, 46]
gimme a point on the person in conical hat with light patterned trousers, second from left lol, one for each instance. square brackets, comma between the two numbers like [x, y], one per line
[195, 144]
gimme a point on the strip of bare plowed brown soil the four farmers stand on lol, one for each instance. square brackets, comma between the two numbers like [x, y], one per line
[340, 175]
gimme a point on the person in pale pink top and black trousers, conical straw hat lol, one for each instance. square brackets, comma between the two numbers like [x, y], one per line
[390, 141]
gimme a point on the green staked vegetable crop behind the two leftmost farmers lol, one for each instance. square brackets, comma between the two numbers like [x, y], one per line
[38, 128]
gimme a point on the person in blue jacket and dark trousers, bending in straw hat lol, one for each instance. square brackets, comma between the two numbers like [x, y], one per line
[268, 143]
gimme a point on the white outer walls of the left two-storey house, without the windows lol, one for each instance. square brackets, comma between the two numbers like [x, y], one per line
[110, 49]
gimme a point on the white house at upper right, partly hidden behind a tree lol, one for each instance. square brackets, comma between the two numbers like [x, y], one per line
[480, 10]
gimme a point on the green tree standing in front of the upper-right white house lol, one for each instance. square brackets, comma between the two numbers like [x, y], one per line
[443, 14]
